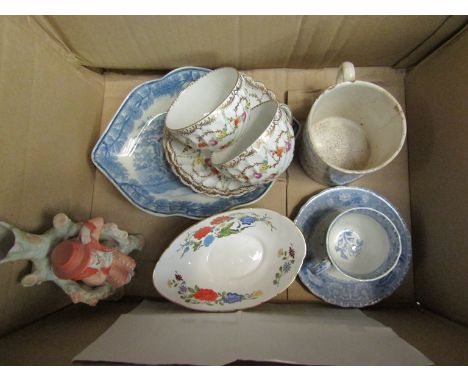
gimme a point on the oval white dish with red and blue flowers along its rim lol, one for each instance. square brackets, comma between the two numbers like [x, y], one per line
[231, 261]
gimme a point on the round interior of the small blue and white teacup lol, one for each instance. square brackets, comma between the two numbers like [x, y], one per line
[363, 244]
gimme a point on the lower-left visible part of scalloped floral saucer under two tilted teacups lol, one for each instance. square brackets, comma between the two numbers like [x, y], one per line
[193, 167]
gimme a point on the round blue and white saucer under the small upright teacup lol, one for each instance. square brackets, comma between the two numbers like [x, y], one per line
[317, 272]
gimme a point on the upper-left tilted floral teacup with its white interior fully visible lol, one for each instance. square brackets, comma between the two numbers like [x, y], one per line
[209, 113]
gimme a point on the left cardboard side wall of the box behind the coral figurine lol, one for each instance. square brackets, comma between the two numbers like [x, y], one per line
[44, 133]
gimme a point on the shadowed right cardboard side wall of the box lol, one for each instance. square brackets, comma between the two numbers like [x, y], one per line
[438, 116]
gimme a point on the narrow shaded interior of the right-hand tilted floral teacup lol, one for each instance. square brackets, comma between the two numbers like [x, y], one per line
[259, 119]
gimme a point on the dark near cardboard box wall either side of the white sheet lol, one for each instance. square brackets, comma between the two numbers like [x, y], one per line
[56, 339]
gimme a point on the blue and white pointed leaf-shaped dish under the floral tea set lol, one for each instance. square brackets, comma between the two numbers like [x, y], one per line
[130, 154]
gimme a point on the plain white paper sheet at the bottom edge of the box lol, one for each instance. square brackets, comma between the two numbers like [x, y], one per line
[310, 334]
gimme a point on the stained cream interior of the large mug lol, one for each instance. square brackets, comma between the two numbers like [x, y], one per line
[357, 126]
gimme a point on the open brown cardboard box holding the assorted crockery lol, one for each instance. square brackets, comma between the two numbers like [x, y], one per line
[63, 78]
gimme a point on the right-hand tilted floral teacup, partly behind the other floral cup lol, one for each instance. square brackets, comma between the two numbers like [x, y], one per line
[264, 149]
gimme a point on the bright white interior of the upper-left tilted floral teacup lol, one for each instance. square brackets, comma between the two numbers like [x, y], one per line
[201, 98]
